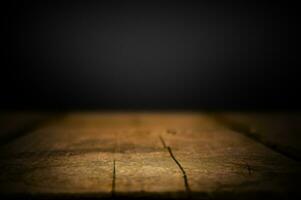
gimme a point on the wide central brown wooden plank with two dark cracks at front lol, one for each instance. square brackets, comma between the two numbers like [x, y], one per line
[187, 155]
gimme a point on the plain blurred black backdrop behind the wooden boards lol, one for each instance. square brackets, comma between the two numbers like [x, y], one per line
[149, 55]
